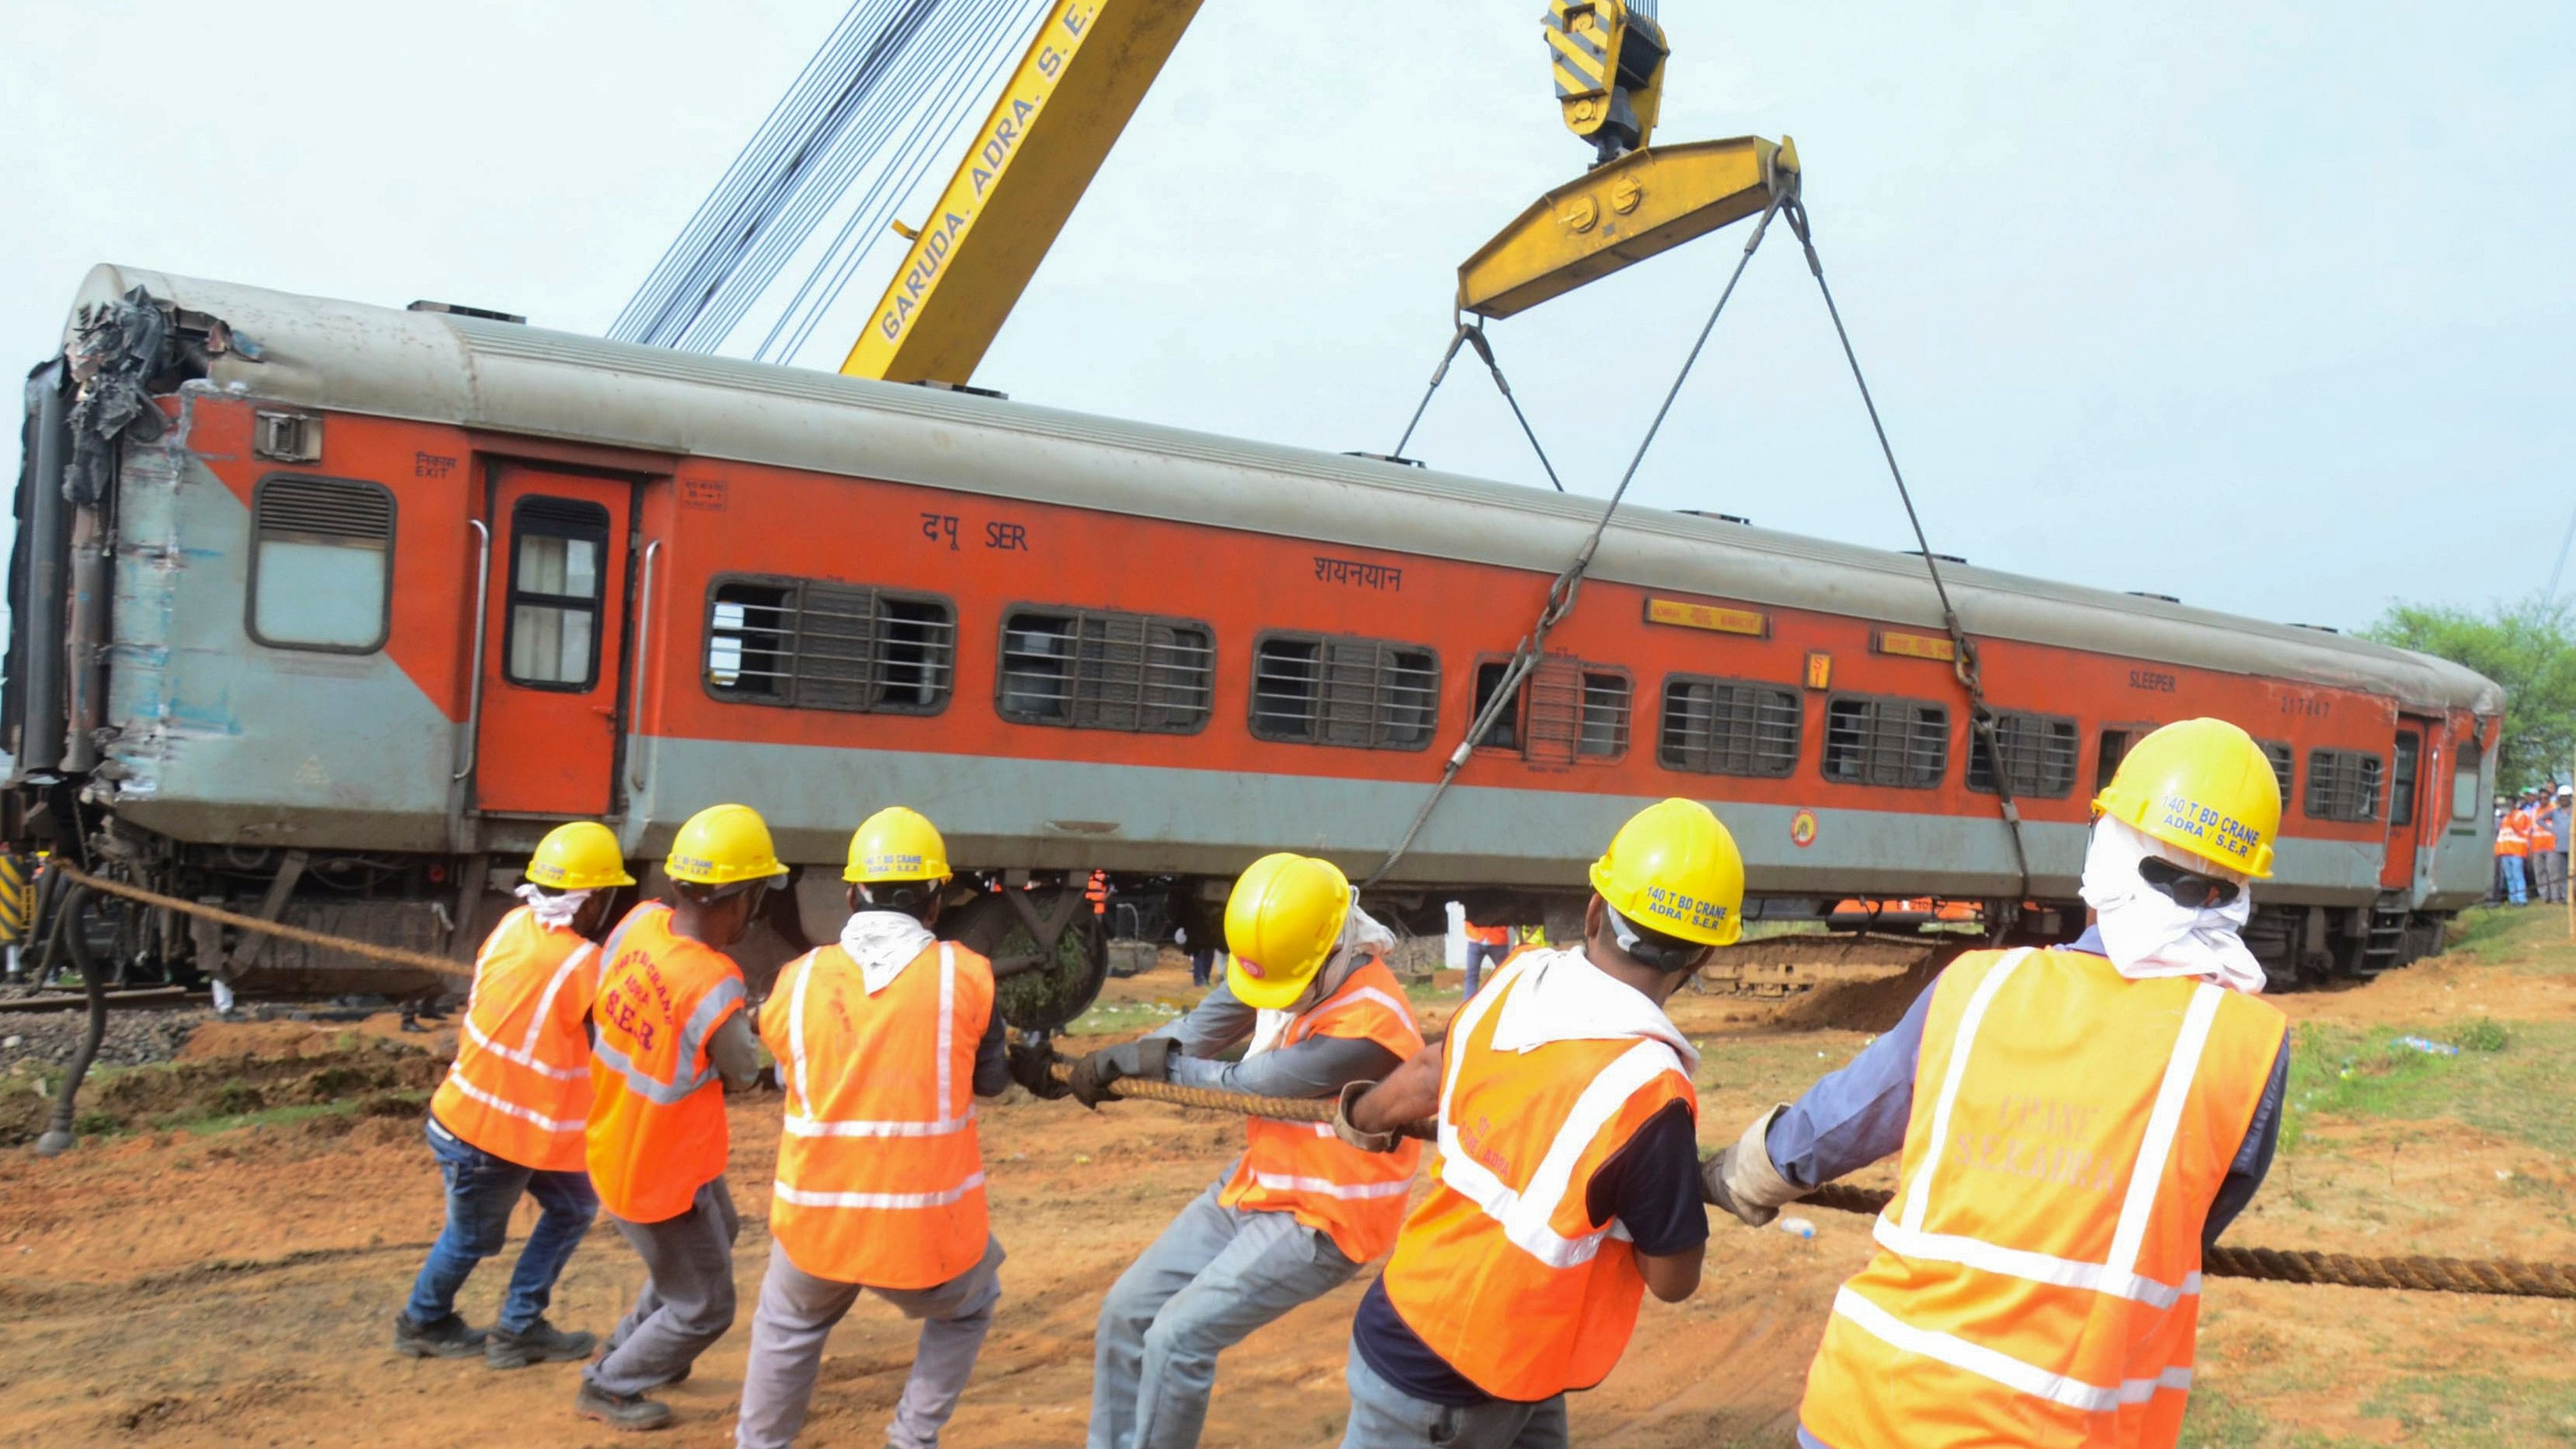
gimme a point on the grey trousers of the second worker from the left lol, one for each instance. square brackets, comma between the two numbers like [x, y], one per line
[689, 1296]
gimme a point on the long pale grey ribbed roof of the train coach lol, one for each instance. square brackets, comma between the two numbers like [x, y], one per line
[558, 385]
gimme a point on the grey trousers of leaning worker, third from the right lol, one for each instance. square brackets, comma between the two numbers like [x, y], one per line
[1202, 1288]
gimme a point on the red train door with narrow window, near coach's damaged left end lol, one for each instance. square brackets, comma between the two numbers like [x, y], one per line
[555, 622]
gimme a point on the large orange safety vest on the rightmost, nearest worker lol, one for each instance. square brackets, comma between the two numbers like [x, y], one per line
[2039, 1270]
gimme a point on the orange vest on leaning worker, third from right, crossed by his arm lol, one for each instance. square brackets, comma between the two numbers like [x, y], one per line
[1300, 1167]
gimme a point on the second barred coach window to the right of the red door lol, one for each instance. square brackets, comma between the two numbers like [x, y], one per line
[1106, 670]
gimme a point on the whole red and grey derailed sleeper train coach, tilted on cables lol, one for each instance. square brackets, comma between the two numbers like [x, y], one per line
[326, 611]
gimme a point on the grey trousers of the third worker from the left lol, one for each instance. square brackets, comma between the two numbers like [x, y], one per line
[797, 1314]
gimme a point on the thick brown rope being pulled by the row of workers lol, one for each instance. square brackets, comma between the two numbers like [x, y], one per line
[2505, 1278]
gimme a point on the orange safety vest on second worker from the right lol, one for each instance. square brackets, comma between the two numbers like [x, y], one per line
[1503, 1270]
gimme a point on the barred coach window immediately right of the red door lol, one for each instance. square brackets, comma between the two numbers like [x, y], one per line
[828, 647]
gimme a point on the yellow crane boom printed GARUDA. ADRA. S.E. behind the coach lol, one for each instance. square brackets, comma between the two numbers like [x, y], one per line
[1032, 161]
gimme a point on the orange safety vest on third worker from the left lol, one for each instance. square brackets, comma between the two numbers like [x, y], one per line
[880, 1172]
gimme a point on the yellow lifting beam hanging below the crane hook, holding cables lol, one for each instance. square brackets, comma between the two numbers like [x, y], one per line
[1619, 215]
